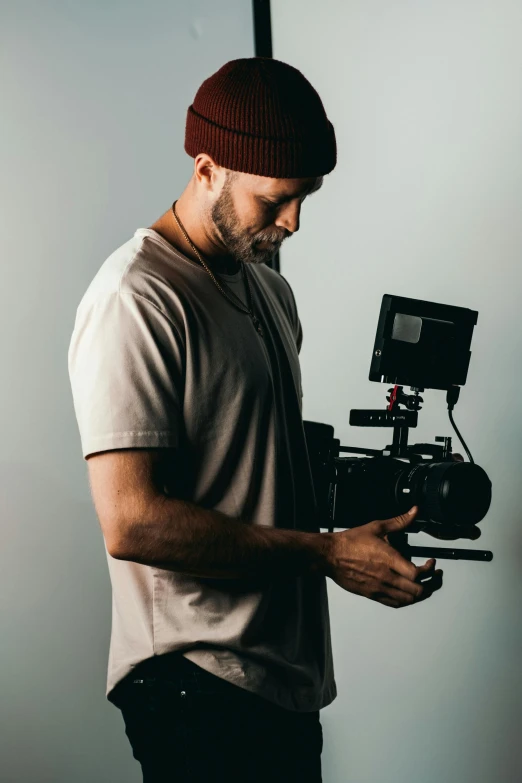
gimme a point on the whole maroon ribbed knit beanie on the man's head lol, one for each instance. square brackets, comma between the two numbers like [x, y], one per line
[261, 116]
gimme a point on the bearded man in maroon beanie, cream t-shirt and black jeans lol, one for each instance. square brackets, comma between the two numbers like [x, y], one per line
[187, 389]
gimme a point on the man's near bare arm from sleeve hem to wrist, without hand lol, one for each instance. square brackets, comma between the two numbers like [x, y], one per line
[142, 522]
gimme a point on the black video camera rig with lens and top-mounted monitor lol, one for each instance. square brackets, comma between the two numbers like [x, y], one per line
[423, 345]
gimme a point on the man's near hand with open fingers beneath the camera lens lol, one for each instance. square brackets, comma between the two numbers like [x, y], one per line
[362, 561]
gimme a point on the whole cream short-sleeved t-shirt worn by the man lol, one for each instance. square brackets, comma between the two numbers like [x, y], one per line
[159, 358]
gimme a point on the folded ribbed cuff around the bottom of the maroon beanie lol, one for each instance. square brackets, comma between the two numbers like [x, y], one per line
[306, 156]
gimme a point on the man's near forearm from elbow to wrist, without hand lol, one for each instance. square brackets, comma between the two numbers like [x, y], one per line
[192, 540]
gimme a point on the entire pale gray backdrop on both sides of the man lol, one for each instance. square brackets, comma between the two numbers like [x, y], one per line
[426, 102]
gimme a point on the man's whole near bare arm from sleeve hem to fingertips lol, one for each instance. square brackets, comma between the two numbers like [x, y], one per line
[141, 522]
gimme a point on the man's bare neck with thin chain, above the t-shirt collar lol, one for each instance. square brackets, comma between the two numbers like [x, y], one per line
[168, 228]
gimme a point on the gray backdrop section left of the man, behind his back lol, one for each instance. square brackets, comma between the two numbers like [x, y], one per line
[93, 103]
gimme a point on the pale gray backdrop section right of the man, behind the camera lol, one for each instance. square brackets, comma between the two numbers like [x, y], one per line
[425, 202]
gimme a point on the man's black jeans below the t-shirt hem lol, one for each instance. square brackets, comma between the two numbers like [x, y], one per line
[186, 725]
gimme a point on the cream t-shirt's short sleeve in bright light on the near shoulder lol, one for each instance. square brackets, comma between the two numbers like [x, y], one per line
[126, 368]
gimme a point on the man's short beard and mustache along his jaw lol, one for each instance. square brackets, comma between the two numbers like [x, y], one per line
[242, 246]
